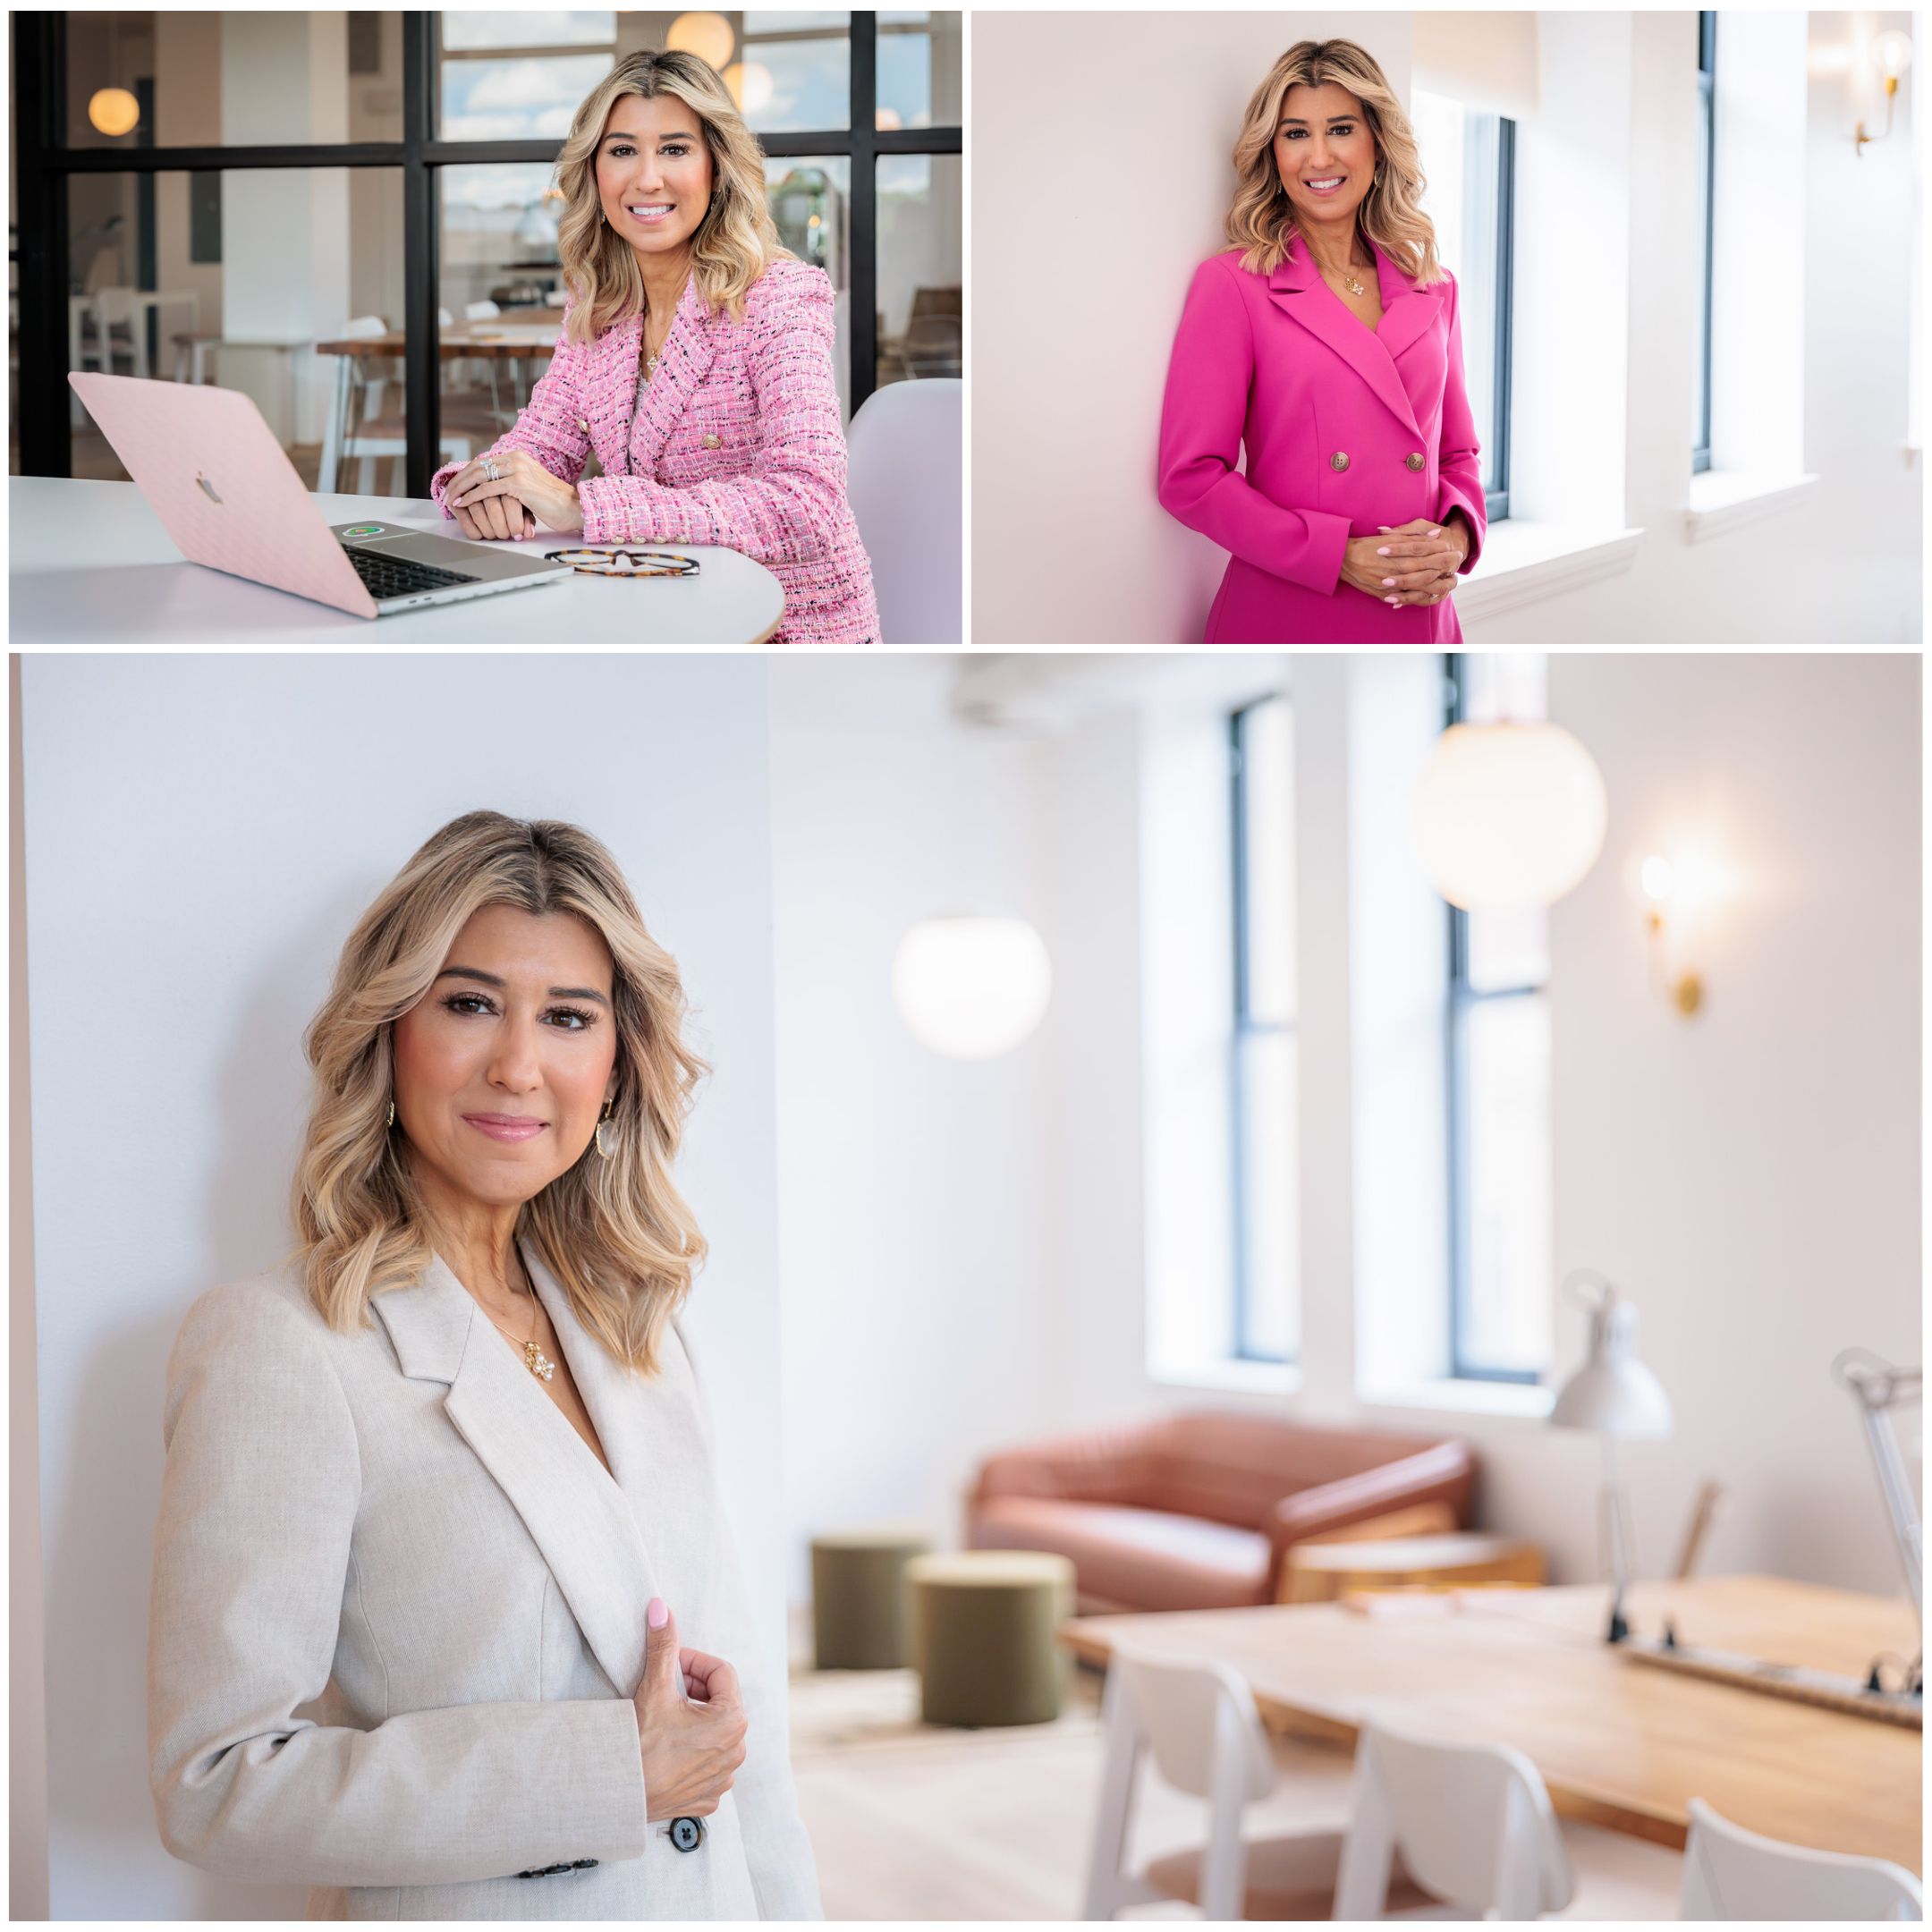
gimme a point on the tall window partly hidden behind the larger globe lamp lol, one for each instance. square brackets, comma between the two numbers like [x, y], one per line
[1498, 1091]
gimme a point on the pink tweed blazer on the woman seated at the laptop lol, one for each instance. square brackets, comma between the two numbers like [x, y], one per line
[737, 443]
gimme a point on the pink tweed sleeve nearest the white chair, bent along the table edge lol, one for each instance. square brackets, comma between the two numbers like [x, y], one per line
[791, 505]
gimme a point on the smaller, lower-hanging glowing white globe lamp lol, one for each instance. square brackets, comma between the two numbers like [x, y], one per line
[971, 988]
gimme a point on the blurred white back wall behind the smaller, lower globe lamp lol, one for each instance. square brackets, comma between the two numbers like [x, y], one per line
[915, 1216]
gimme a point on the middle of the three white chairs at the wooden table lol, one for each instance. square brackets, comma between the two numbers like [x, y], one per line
[1473, 1827]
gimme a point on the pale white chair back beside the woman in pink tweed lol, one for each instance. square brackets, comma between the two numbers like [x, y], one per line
[903, 482]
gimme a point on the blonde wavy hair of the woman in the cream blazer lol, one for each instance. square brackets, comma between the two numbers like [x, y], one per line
[613, 1230]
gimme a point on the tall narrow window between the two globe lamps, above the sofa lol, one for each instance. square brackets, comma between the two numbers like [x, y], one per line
[1263, 1083]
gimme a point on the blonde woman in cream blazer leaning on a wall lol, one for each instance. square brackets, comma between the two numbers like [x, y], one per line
[440, 1512]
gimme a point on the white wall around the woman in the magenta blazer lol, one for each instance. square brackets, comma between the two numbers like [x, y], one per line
[1069, 380]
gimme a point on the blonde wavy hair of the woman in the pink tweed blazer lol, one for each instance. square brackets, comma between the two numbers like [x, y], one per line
[733, 242]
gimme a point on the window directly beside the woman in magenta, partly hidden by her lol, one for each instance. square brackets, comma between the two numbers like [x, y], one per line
[1471, 167]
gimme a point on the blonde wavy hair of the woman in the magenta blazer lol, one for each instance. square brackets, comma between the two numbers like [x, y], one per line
[1261, 221]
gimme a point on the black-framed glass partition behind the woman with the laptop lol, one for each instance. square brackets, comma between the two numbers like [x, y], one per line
[302, 204]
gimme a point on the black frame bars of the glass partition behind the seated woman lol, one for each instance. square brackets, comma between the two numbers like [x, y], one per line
[45, 165]
